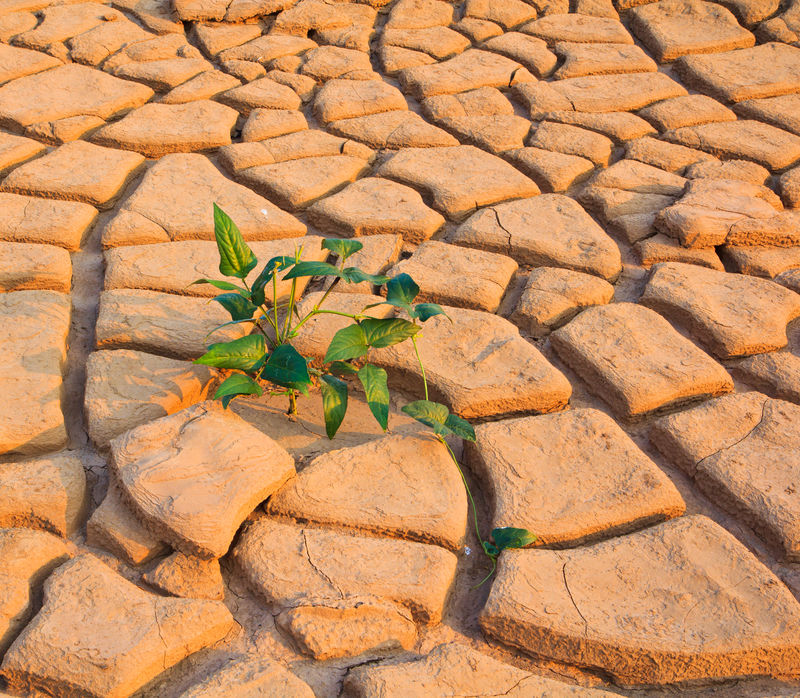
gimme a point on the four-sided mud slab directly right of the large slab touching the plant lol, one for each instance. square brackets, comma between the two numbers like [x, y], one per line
[632, 357]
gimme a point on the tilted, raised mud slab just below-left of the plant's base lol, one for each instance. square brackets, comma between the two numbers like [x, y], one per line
[194, 476]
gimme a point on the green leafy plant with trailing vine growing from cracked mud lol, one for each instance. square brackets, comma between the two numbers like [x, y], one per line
[267, 357]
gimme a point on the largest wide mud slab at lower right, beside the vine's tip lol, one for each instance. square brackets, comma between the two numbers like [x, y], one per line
[680, 601]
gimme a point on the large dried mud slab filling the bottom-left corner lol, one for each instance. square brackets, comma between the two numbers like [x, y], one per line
[90, 611]
